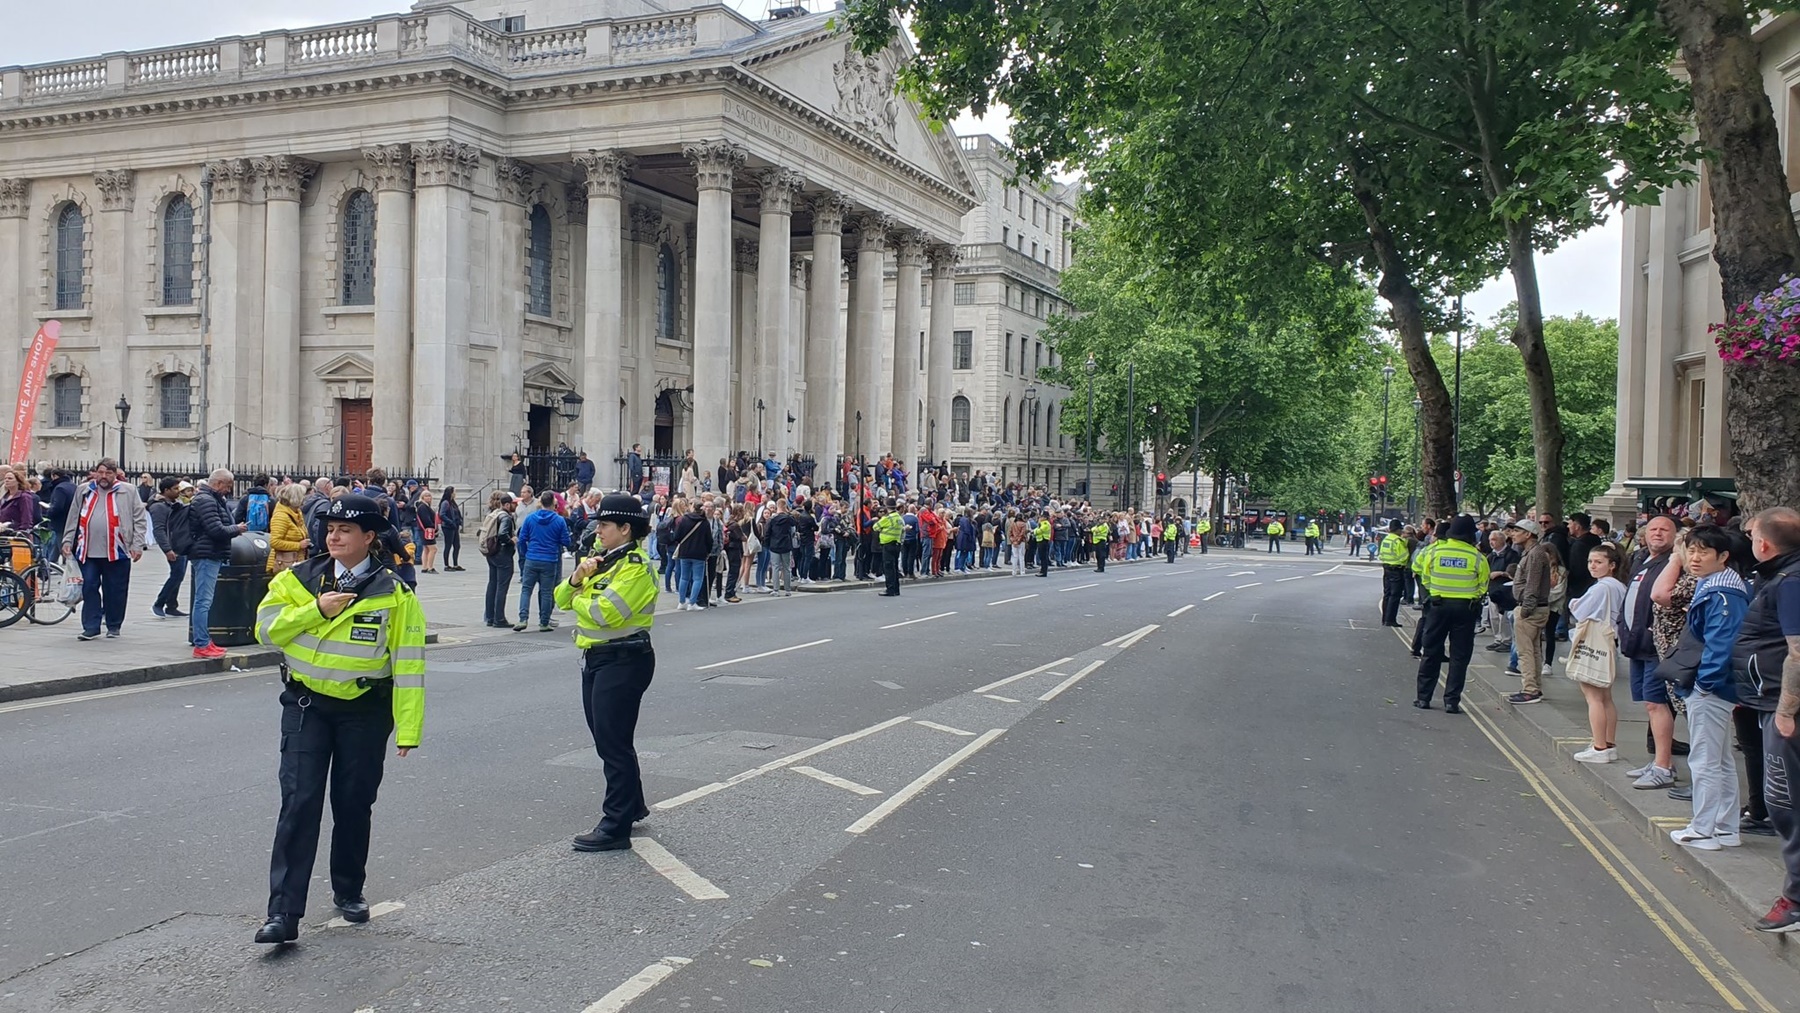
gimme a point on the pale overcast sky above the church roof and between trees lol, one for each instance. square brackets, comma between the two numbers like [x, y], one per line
[1581, 278]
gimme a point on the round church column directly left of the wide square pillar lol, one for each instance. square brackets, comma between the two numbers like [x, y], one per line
[391, 170]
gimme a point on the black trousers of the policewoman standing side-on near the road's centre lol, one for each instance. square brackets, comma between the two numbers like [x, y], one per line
[615, 679]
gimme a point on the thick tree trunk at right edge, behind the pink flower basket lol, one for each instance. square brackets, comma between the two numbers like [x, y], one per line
[1754, 235]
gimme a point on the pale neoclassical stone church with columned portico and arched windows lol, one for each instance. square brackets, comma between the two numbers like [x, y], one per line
[426, 240]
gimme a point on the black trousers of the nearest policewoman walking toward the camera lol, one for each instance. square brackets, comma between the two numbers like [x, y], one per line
[327, 742]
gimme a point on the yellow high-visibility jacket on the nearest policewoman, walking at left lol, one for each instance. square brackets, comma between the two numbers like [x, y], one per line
[377, 638]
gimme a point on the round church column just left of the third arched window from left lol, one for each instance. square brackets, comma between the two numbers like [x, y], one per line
[283, 181]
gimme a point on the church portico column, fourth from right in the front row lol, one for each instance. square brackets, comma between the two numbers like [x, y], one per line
[825, 346]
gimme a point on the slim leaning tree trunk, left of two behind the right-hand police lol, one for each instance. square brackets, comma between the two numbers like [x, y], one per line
[1437, 463]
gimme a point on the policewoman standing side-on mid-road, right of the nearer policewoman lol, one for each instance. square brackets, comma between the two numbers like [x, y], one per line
[615, 602]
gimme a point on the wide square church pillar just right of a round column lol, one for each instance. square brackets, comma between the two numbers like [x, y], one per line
[442, 435]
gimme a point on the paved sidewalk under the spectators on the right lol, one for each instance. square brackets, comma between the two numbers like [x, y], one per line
[1749, 877]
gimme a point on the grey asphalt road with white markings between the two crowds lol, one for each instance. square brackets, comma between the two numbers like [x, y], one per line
[1169, 787]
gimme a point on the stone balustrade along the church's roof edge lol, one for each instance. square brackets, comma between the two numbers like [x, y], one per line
[384, 40]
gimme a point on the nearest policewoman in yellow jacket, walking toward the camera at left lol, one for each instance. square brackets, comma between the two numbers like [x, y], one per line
[354, 672]
